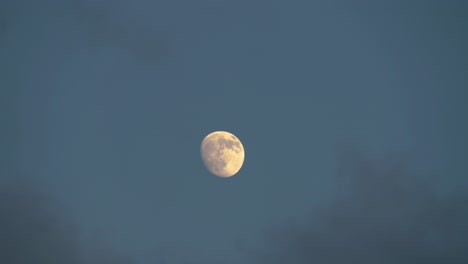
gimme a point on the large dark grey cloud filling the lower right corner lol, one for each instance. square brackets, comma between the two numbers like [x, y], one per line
[385, 213]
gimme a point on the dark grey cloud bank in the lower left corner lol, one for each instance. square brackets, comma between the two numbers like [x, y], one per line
[32, 231]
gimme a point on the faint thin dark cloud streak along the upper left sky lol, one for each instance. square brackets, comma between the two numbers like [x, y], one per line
[92, 24]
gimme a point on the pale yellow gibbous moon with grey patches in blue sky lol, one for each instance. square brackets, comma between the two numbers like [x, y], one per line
[222, 153]
